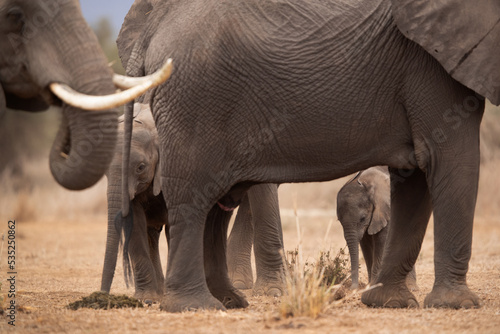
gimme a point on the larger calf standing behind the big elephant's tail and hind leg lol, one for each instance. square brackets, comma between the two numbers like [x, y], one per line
[148, 208]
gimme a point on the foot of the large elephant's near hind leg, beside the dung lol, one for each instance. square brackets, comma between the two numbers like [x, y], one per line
[174, 302]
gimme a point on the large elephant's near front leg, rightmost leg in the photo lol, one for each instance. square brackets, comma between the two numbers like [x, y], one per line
[454, 199]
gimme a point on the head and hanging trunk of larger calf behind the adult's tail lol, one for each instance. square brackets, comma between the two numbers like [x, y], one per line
[142, 173]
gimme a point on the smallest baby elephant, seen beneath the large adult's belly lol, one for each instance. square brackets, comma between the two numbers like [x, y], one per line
[363, 209]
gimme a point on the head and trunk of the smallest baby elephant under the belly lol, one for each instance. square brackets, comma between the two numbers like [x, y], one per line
[363, 207]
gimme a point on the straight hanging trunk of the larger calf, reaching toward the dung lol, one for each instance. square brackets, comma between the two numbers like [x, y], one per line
[113, 238]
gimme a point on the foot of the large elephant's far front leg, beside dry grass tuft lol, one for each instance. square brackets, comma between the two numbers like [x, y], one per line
[390, 296]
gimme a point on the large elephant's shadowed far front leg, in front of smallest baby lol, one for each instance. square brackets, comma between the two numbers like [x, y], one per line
[410, 213]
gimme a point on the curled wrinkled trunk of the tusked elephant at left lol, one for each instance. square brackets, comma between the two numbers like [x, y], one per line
[84, 145]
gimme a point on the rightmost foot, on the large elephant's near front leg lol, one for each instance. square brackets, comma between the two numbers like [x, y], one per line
[458, 296]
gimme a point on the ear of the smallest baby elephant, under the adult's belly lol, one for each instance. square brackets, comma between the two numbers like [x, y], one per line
[378, 186]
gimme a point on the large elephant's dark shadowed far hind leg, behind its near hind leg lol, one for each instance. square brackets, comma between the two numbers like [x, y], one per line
[216, 271]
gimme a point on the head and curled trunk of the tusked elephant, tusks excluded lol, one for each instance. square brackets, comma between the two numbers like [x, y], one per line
[48, 41]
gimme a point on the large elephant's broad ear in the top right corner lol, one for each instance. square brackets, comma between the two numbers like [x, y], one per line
[463, 35]
